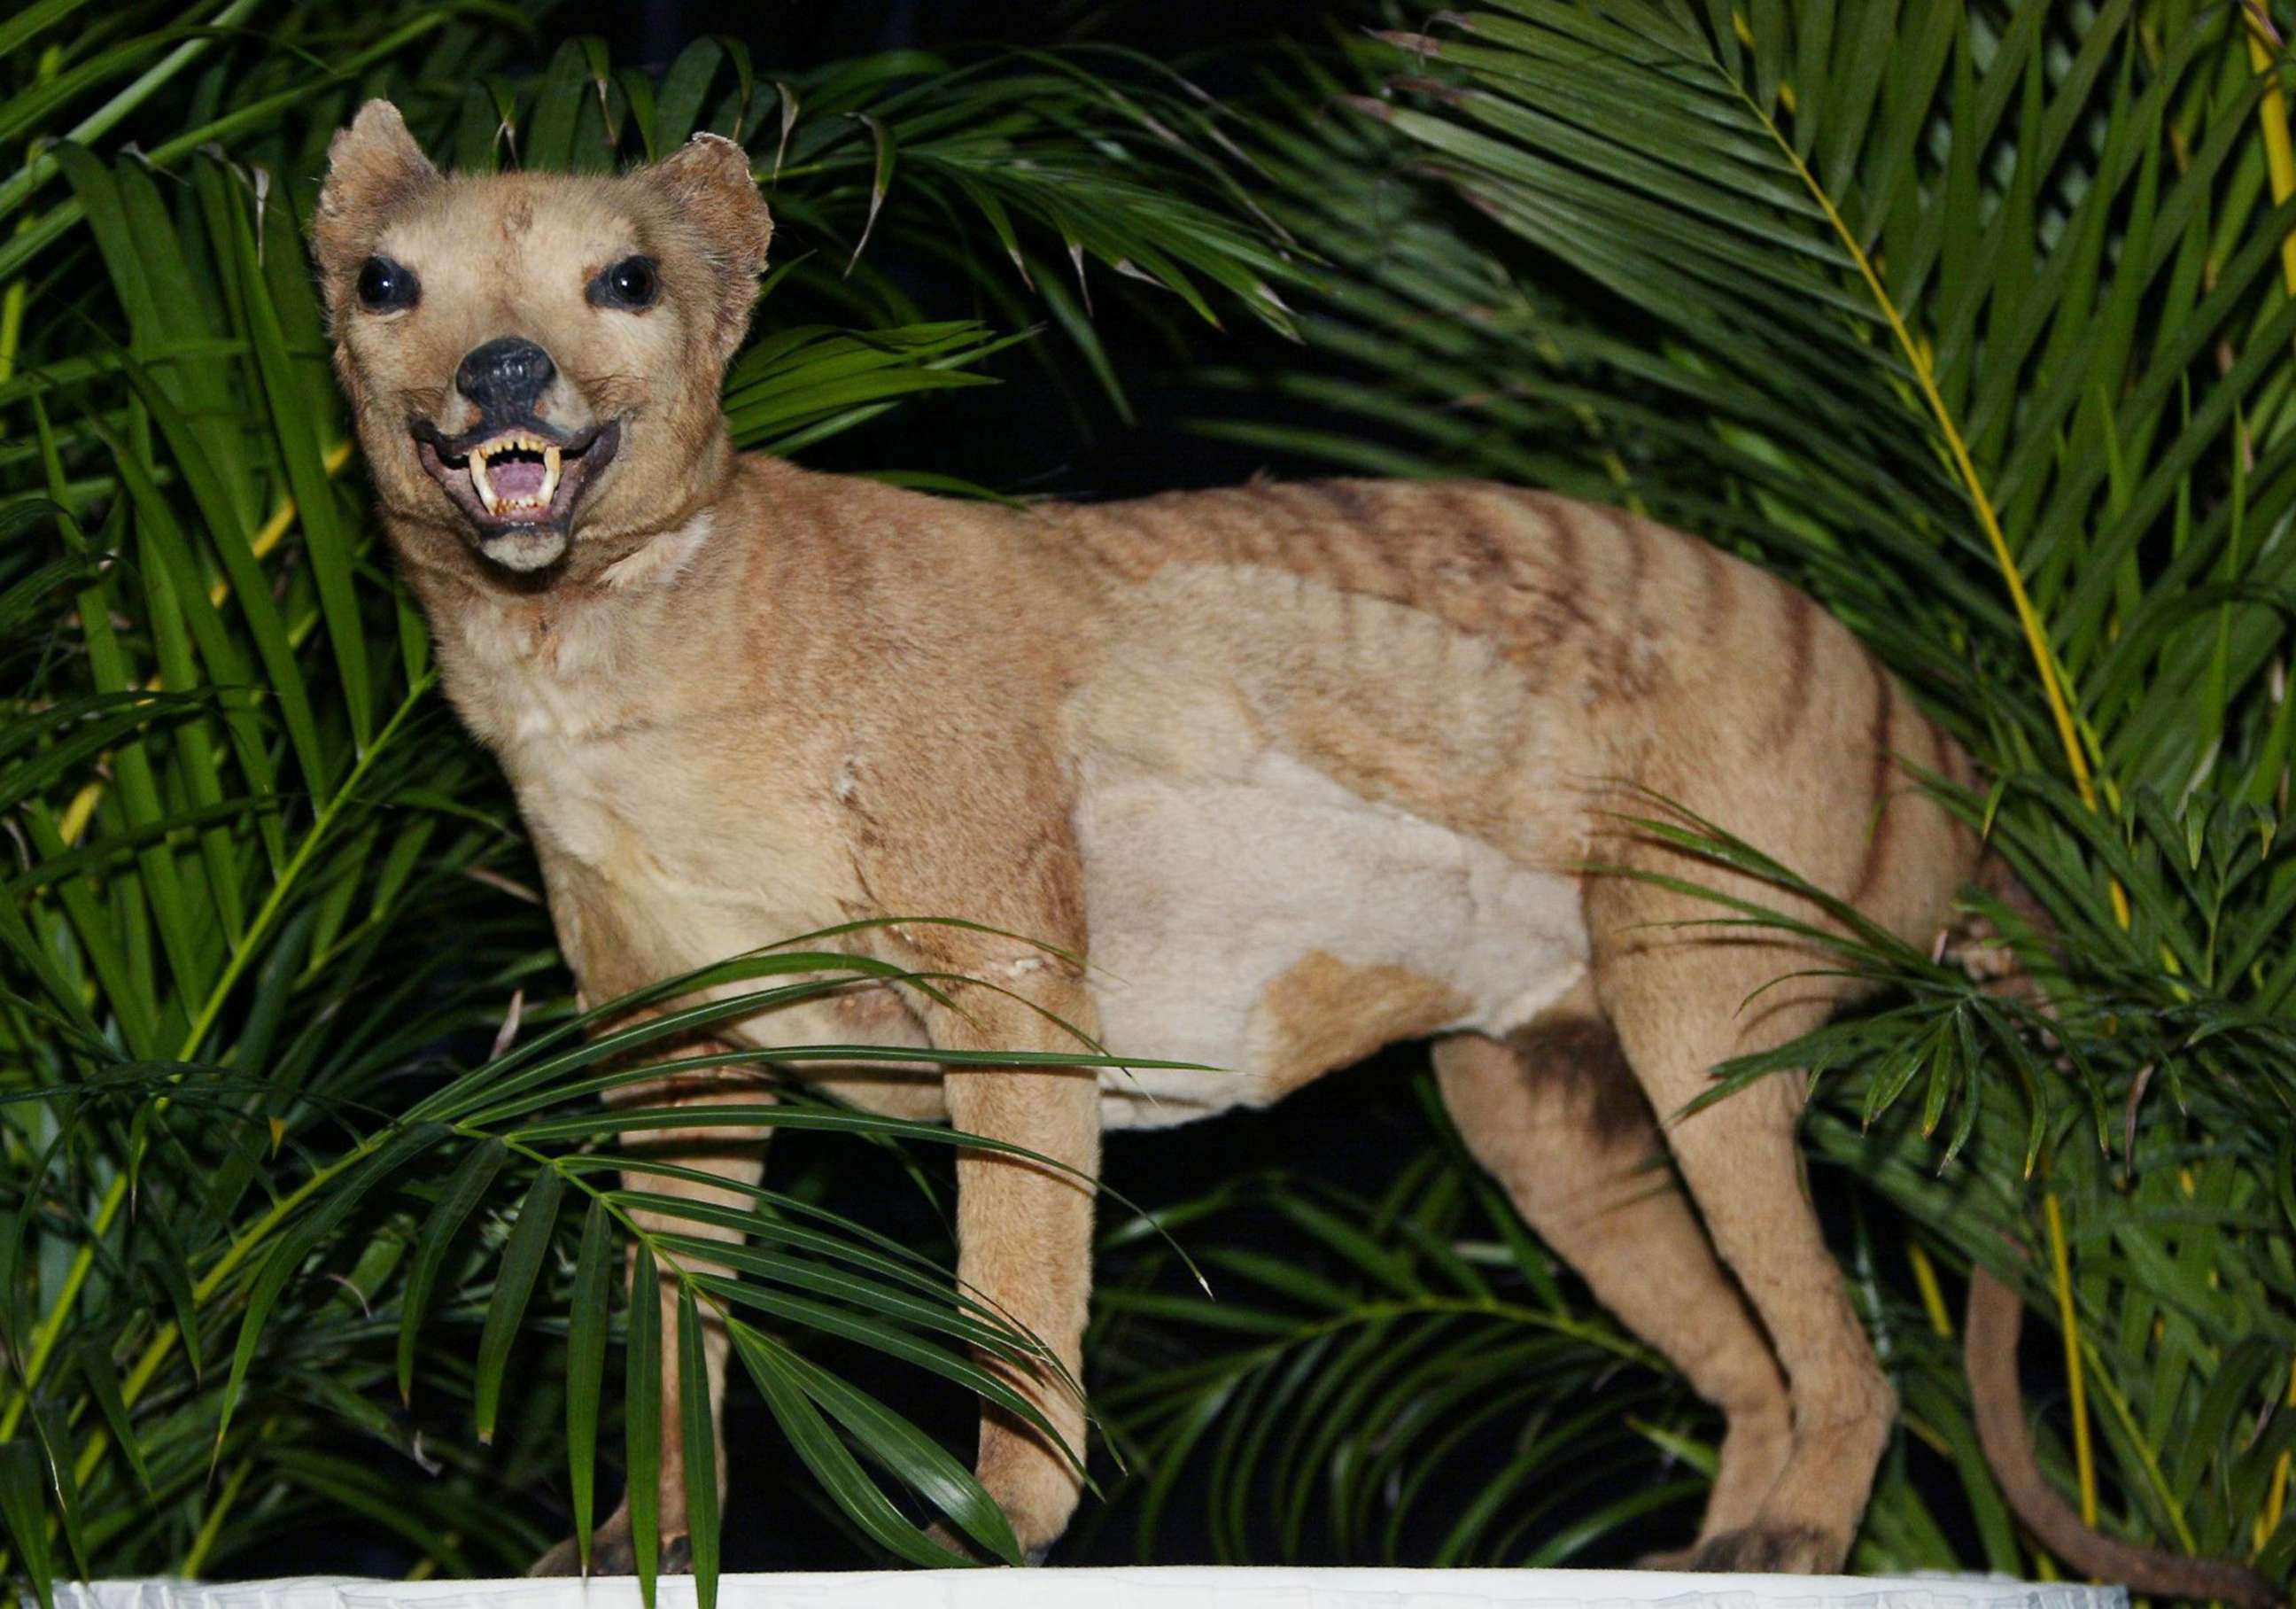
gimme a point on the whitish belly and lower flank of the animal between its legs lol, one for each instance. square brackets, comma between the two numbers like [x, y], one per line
[1278, 926]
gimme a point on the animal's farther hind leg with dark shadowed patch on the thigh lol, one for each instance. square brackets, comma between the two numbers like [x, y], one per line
[1558, 1121]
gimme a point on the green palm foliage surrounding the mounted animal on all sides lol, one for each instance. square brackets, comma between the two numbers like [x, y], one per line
[1973, 320]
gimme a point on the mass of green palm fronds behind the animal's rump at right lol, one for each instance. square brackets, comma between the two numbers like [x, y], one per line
[1973, 322]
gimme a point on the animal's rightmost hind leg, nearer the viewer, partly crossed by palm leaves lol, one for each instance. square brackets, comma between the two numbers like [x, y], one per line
[1684, 1004]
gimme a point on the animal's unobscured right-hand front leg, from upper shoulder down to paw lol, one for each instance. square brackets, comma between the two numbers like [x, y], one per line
[993, 800]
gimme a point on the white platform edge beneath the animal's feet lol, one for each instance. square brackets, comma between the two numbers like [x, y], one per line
[1126, 1589]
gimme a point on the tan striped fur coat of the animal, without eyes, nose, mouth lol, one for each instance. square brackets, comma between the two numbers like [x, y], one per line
[1301, 770]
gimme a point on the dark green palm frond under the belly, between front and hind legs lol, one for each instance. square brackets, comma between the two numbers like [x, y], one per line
[1390, 1378]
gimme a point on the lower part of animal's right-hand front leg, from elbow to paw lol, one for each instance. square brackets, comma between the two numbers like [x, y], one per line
[1025, 1231]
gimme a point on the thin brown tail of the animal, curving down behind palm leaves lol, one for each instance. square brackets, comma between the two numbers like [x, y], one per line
[1996, 1316]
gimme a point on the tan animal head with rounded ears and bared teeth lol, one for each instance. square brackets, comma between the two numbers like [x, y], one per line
[534, 359]
